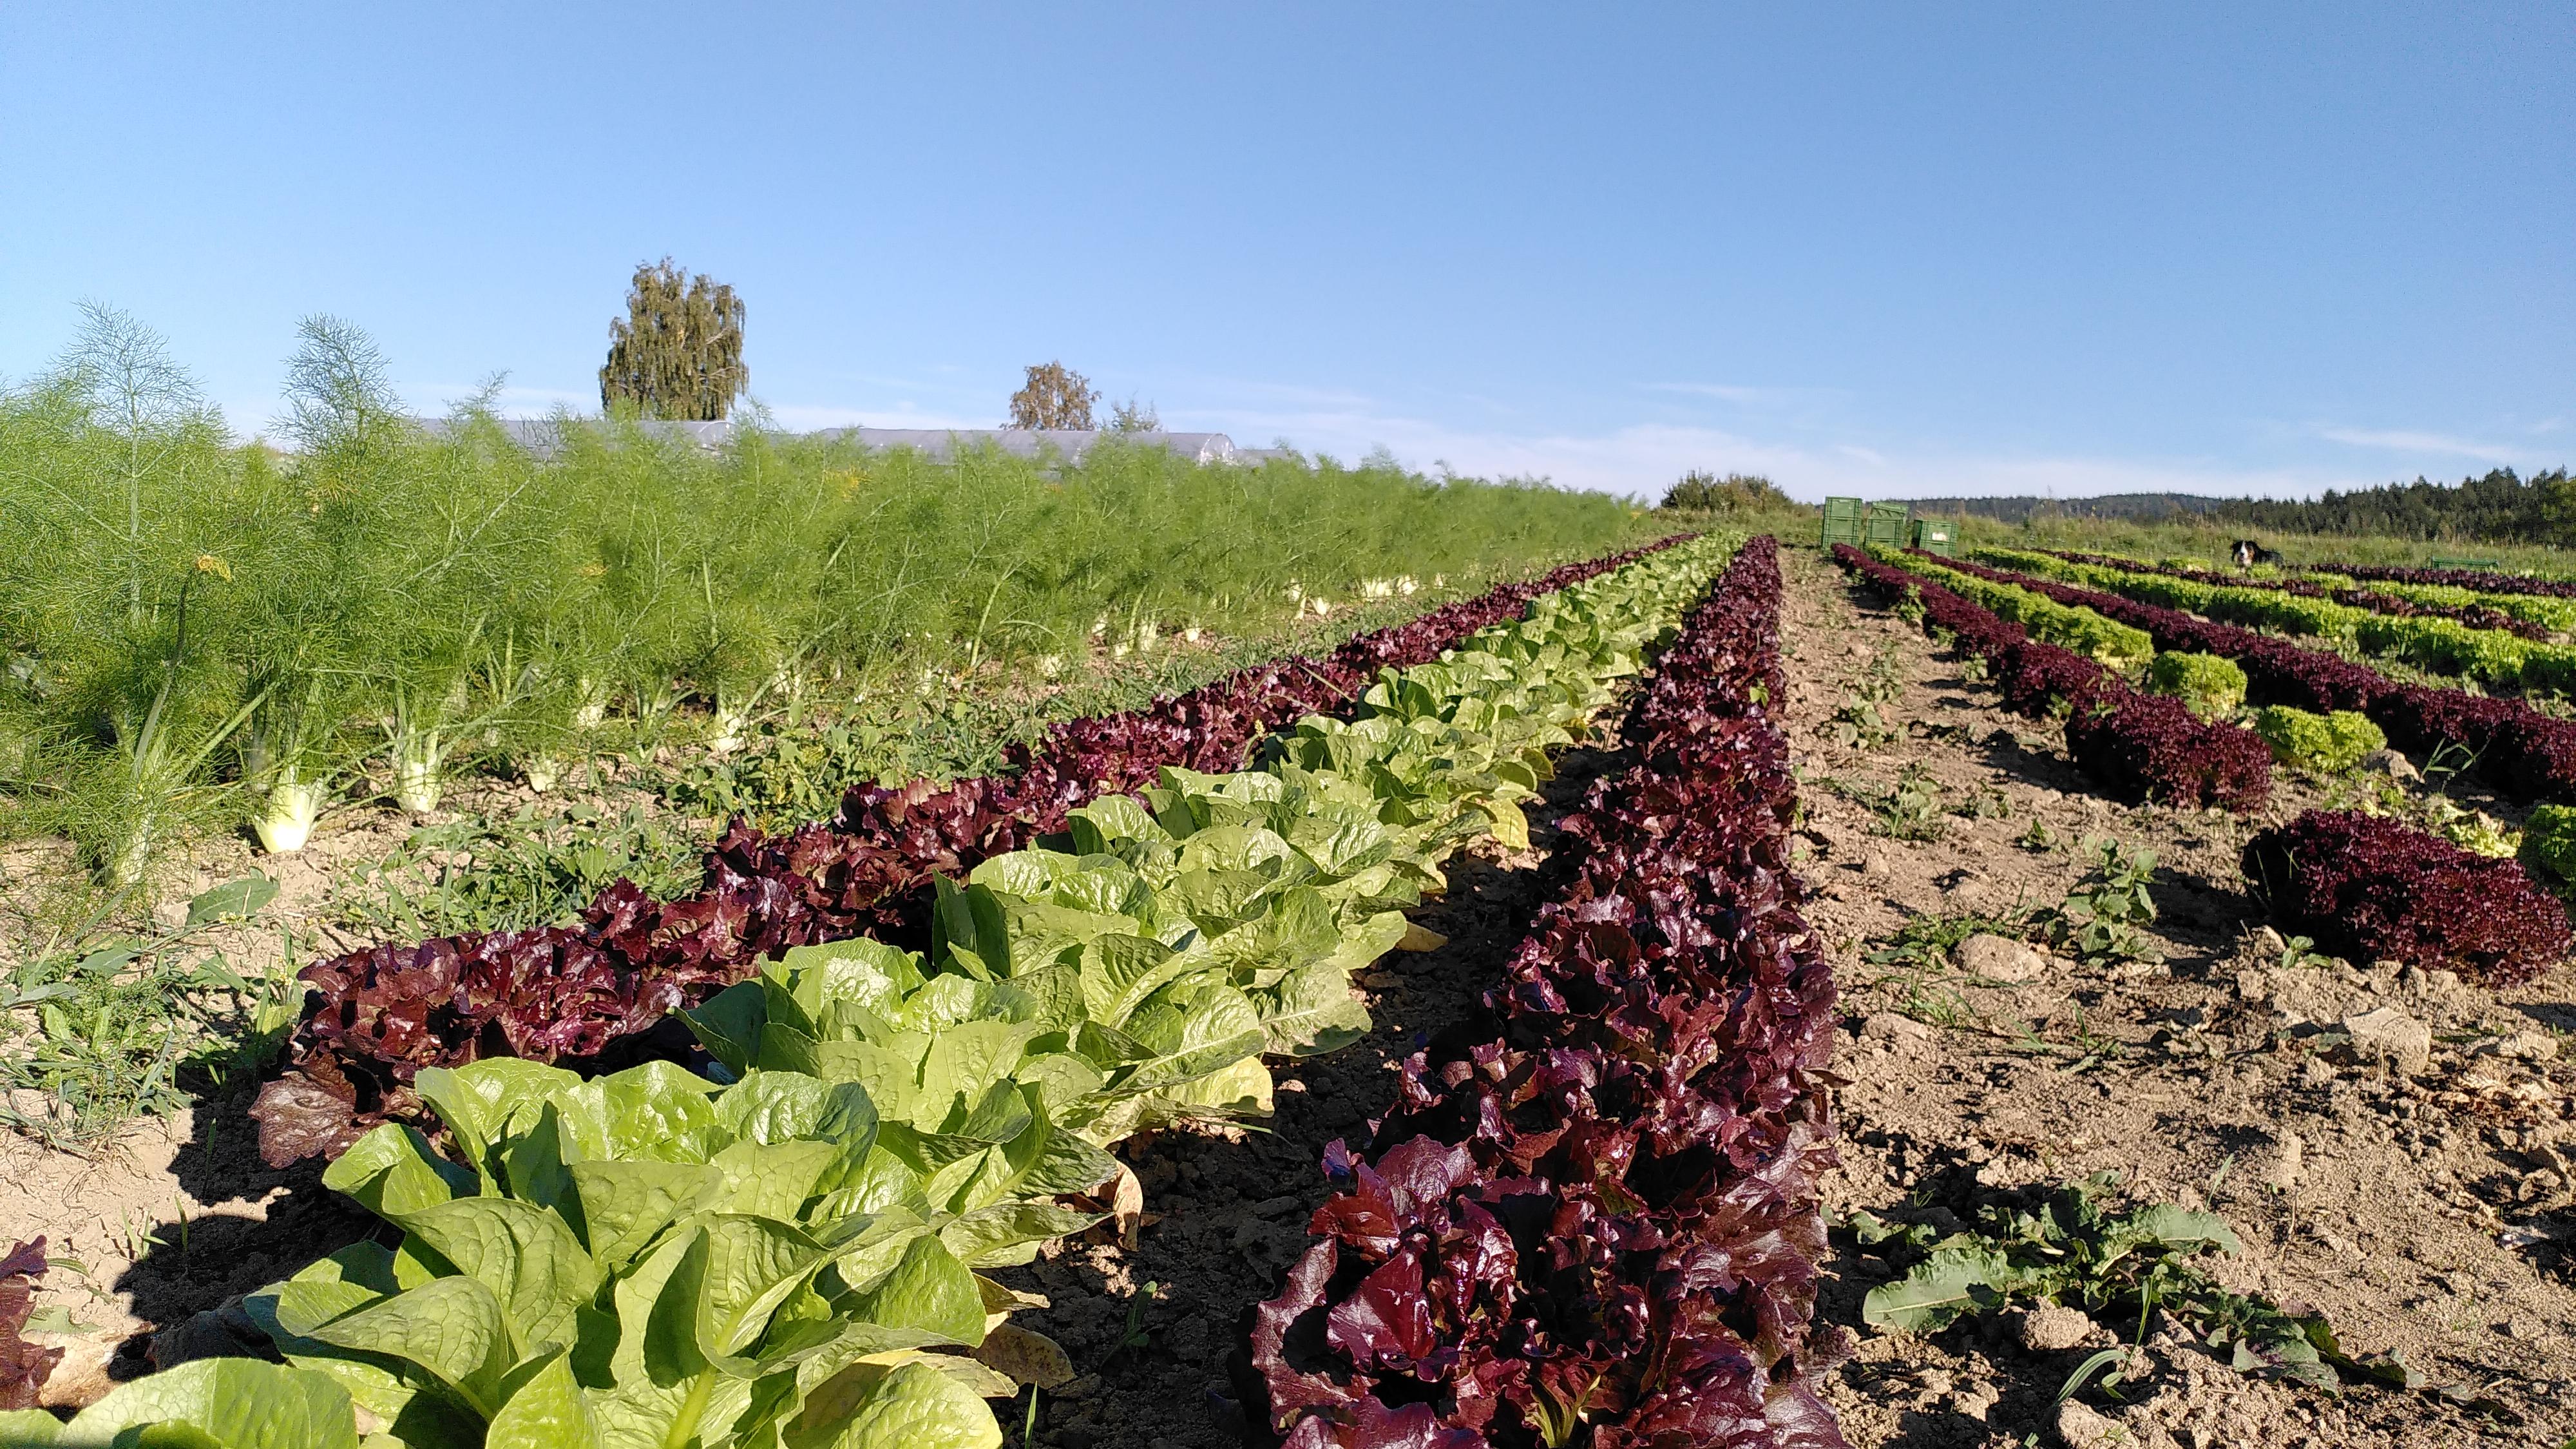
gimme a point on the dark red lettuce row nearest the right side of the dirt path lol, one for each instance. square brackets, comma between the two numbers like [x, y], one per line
[2134, 746]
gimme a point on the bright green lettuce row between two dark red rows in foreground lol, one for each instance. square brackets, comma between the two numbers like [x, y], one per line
[795, 1249]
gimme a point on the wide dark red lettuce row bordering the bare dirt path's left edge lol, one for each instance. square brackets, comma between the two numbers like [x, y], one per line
[1593, 1208]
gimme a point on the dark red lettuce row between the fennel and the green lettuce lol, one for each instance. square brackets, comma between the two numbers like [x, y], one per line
[591, 991]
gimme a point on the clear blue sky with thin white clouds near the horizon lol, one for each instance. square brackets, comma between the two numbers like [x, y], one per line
[1889, 251]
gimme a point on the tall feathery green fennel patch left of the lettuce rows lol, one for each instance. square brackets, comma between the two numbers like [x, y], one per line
[416, 679]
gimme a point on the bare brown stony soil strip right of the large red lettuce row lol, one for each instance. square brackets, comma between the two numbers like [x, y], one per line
[2415, 1211]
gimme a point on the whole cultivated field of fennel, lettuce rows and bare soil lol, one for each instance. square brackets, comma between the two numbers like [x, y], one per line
[1282, 955]
